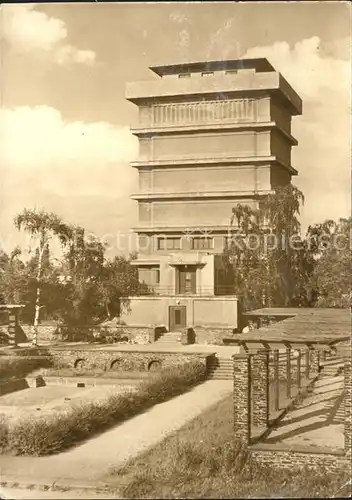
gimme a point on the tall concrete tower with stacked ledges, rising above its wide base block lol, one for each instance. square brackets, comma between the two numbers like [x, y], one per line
[211, 135]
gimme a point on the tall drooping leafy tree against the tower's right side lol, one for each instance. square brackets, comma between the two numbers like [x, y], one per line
[265, 257]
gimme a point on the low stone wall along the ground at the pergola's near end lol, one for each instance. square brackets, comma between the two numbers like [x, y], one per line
[313, 459]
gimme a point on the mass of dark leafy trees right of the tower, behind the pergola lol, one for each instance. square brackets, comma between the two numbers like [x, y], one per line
[270, 263]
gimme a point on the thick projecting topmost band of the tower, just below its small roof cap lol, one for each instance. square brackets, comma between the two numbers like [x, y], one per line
[240, 85]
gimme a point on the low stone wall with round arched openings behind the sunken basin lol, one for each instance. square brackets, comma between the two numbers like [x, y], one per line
[90, 359]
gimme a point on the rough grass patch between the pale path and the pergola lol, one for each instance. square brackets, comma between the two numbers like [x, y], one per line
[201, 460]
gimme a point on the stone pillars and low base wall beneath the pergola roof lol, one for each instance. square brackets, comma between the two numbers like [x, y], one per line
[251, 409]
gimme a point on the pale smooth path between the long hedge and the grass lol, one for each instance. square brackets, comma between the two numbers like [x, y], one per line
[93, 459]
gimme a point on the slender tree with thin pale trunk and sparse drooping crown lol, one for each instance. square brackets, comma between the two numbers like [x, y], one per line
[42, 226]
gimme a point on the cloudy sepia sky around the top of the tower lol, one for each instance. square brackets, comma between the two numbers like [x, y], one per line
[65, 144]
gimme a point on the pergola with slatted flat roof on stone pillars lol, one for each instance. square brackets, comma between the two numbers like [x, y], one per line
[266, 356]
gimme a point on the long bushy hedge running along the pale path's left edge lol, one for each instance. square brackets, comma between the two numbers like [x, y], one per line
[48, 435]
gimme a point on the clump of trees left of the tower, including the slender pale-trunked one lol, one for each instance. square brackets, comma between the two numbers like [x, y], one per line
[83, 286]
